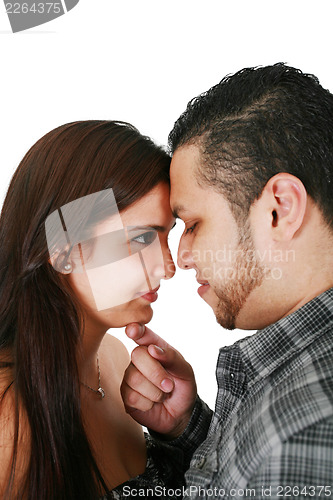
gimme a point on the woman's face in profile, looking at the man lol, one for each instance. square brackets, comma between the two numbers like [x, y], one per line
[130, 256]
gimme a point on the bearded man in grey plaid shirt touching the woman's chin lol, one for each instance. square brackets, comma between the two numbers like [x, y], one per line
[252, 178]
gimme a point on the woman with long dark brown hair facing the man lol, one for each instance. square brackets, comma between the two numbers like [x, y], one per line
[64, 431]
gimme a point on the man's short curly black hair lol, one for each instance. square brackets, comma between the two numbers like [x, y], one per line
[257, 123]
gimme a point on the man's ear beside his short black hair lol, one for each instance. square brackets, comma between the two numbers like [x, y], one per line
[287, 198]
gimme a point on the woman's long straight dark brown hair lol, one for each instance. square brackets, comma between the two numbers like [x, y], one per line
[40, 320]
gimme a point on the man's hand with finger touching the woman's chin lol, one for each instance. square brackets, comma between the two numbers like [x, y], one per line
[159, 388]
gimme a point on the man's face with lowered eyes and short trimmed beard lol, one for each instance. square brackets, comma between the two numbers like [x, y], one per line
[222, 254]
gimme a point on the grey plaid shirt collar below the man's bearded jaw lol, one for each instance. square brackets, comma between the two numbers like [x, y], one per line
[267, 349]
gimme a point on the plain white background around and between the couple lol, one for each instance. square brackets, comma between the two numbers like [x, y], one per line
[141, 61]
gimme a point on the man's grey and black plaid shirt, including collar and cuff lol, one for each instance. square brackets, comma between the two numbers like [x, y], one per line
[271, 435]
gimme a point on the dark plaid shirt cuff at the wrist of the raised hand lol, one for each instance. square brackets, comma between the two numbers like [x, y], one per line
[194, 434]
